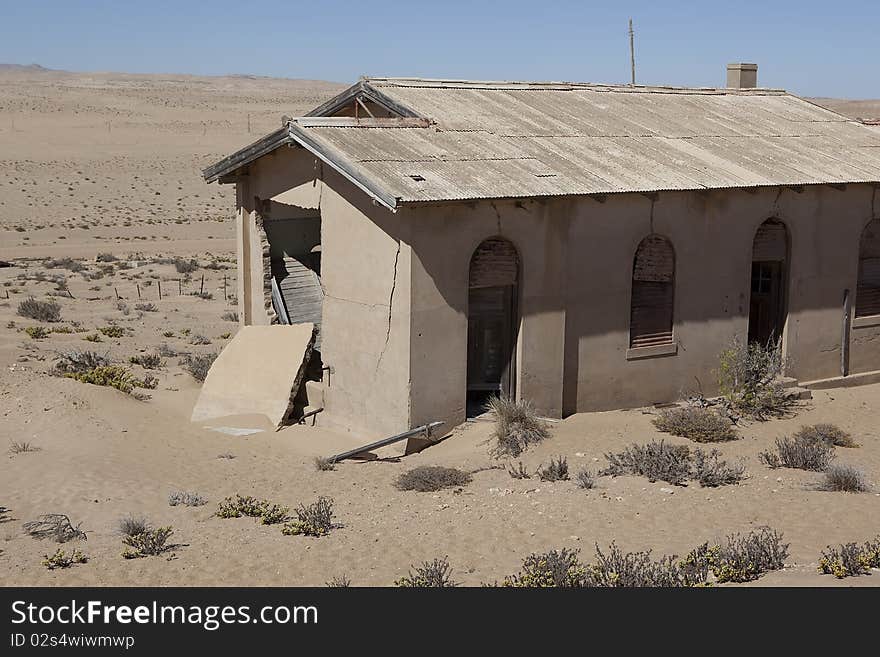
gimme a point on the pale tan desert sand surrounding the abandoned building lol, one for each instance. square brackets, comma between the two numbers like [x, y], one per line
[109, 164]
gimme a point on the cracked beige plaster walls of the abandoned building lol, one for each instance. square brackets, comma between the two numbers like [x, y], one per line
[399, 358]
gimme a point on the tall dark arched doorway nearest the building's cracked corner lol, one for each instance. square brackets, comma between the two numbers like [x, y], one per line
[492, 322]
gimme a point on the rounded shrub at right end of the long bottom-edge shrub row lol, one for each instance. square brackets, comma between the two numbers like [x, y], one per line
[746, 557]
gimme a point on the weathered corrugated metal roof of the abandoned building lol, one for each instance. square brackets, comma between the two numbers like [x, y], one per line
[515, 139]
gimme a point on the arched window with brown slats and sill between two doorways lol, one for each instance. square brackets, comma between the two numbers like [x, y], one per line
[653, 292]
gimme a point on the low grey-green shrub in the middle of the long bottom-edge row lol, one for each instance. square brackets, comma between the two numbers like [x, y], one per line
[637, 569]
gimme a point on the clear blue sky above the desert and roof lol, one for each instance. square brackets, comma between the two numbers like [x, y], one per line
[811, 48]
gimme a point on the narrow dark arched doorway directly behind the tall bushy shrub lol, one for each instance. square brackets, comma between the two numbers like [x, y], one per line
[767, 307]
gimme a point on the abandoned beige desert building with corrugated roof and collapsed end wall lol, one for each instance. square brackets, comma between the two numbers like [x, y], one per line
[581, 246]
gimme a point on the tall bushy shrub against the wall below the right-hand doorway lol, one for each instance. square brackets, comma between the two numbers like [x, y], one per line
[749, 379]
